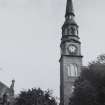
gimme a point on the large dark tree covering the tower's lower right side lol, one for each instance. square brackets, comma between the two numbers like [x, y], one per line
[90, 86]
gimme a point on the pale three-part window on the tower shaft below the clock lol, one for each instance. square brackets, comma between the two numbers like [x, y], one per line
[72, 70]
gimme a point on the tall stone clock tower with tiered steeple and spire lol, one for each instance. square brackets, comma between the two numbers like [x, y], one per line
[71, 58]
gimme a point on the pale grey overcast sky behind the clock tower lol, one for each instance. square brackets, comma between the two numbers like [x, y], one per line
[30, 35]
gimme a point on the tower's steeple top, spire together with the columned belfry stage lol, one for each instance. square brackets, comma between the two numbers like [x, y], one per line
[70, 27]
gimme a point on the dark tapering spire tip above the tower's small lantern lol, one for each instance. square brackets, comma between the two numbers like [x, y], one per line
[69, 8]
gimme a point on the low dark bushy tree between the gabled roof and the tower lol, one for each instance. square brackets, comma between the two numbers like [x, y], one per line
[35, 97]
